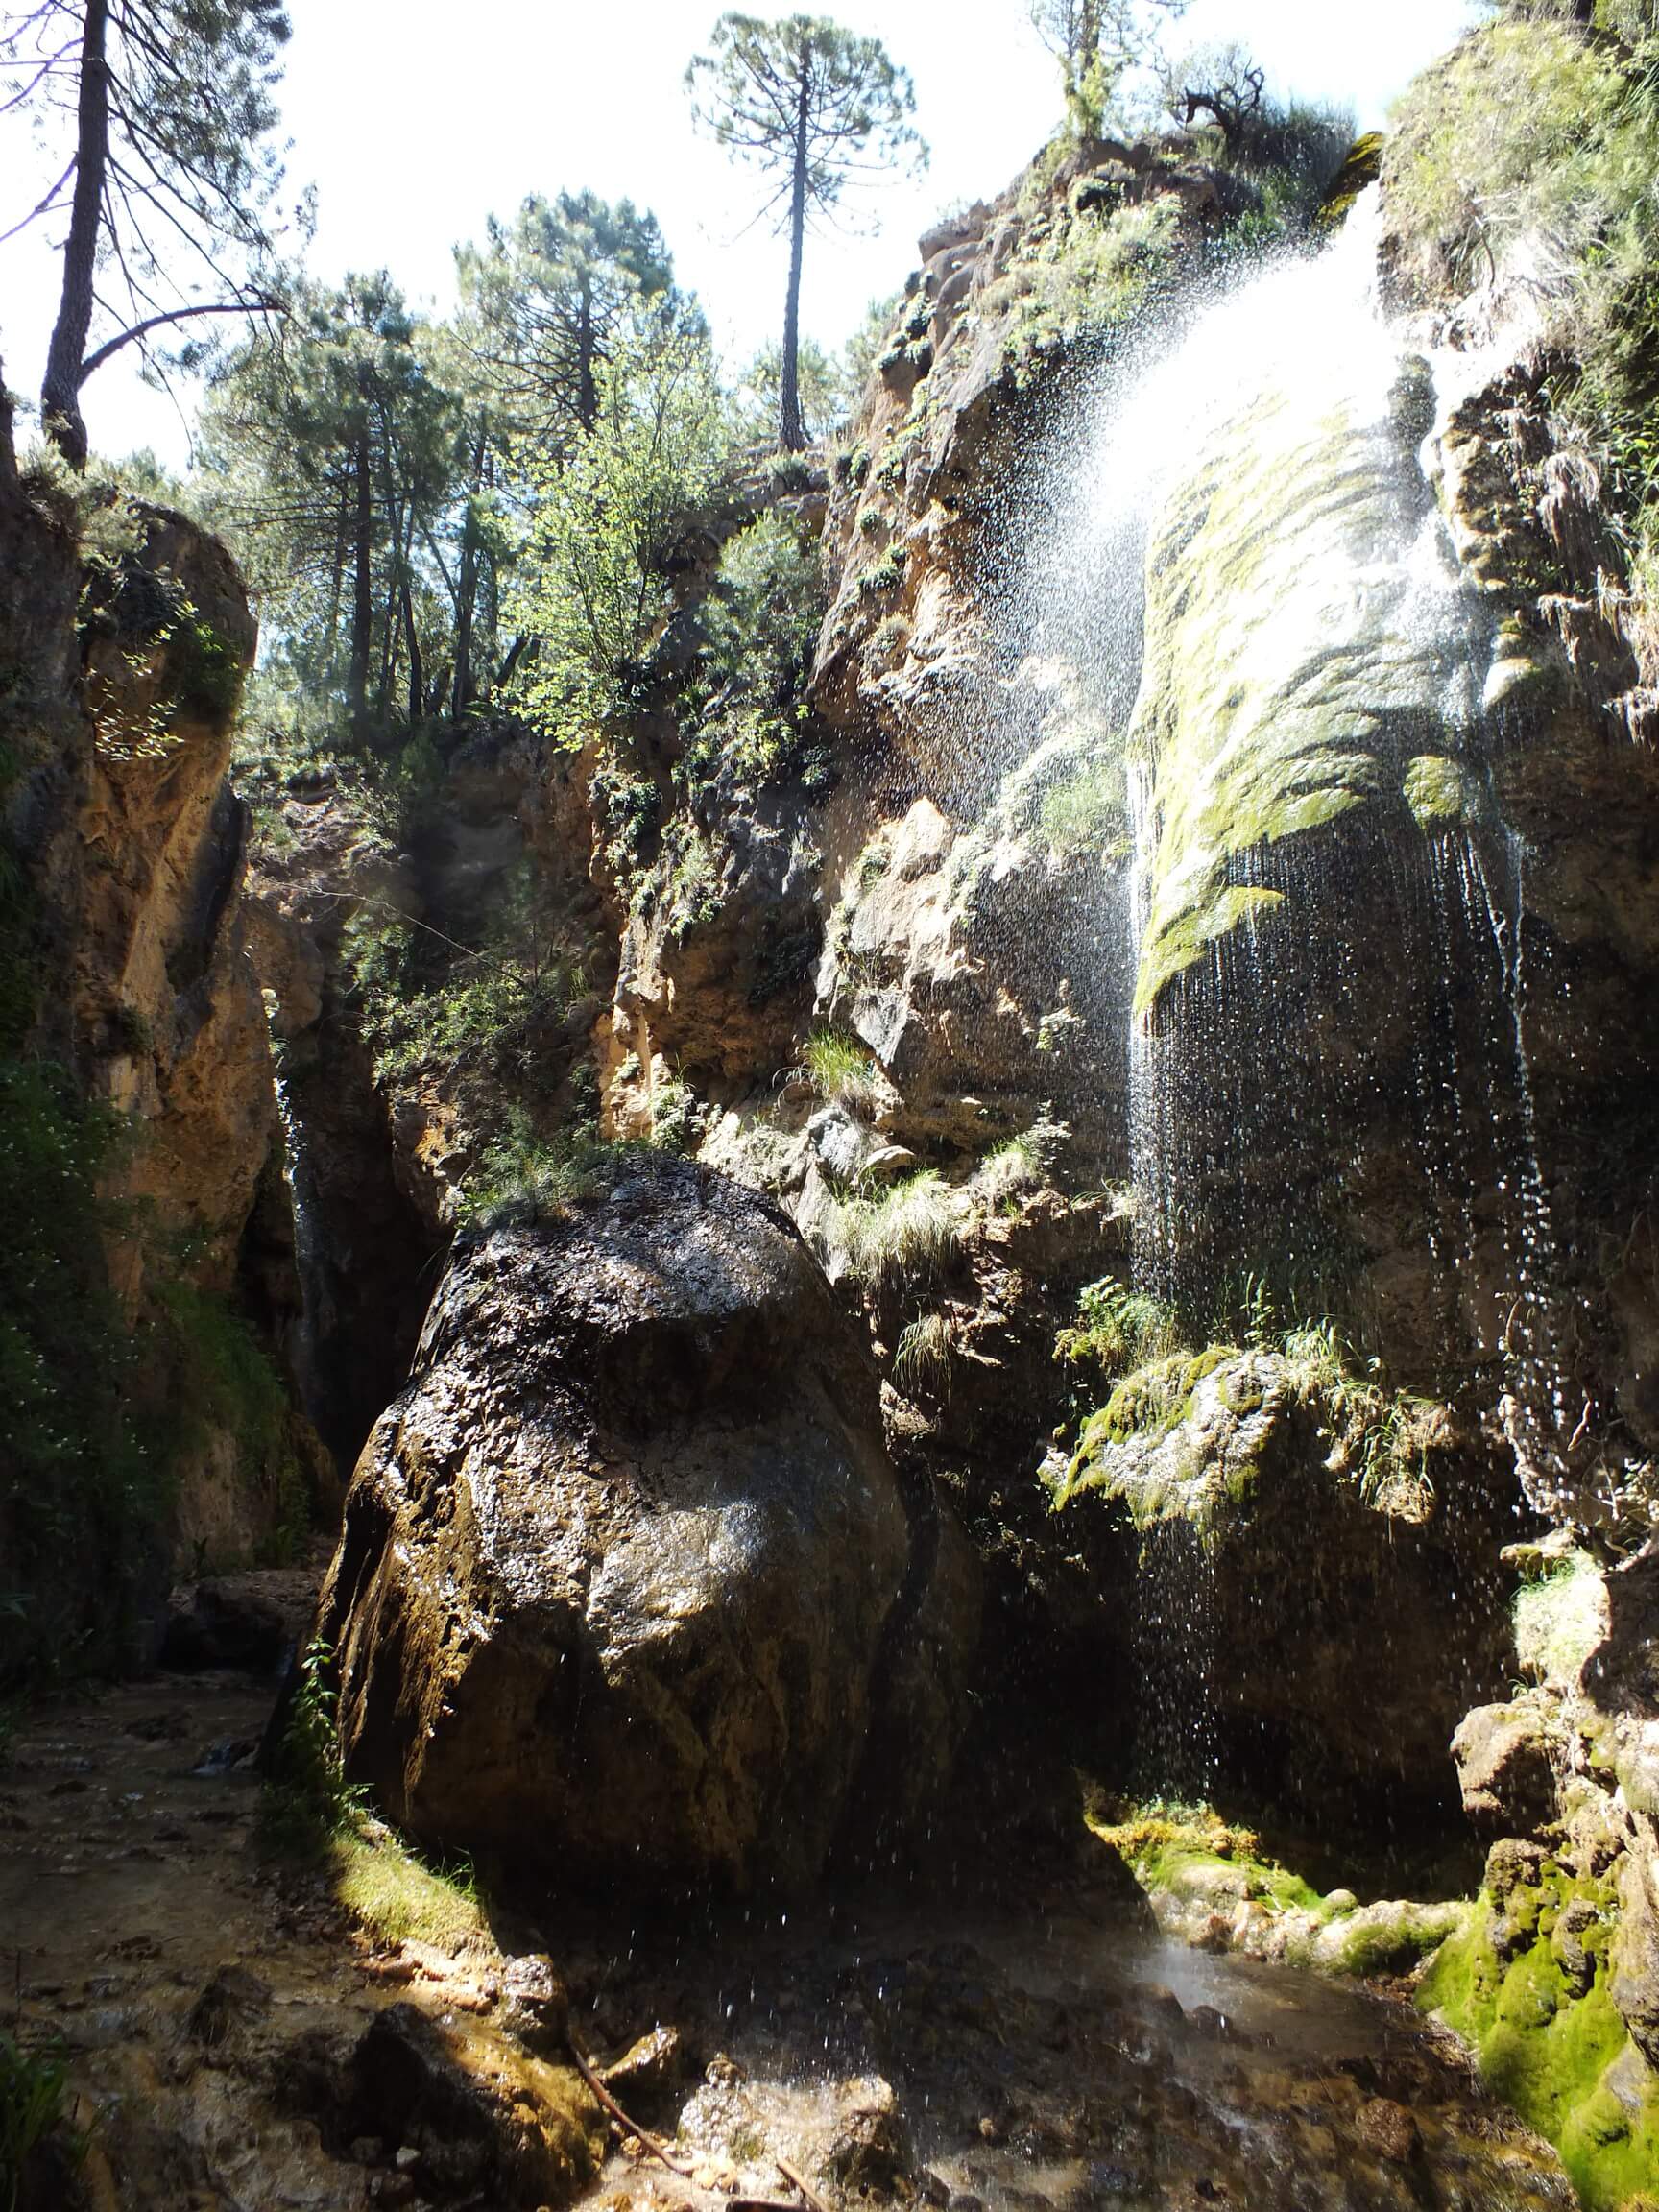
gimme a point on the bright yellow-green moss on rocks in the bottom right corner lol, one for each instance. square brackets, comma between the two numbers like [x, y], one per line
[1543, 2047]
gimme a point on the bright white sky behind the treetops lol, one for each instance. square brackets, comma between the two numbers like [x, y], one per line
[417, 118]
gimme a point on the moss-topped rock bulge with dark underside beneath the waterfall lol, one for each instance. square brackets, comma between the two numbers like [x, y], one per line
[1302, 1627]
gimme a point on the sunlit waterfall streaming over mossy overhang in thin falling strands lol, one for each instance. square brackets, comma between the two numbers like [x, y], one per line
[1324, 906]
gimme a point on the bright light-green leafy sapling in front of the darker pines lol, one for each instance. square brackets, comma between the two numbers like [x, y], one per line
[594, 589]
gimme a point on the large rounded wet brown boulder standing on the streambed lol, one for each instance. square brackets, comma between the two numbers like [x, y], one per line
[627, 1574]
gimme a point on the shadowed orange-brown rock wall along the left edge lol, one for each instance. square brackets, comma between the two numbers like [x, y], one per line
[152, 1246]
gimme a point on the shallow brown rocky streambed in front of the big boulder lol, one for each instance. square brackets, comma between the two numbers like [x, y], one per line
[244, 2030]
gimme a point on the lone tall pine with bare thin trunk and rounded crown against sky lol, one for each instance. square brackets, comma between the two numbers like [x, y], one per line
[817, 109]
